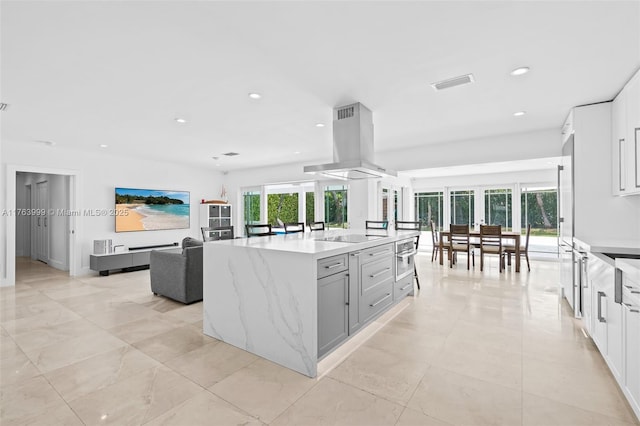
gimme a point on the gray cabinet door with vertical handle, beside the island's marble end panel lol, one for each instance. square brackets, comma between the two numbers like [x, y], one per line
[333, 311]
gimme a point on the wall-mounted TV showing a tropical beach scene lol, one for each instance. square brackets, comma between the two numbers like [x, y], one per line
[150, 209]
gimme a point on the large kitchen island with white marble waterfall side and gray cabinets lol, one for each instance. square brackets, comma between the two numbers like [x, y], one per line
[293, 298]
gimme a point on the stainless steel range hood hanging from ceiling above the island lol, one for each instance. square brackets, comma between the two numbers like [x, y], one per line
[352, 146]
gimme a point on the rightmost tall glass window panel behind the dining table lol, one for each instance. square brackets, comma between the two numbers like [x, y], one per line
[539, 207]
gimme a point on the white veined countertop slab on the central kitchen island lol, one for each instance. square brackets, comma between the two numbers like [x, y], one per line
[312, 242]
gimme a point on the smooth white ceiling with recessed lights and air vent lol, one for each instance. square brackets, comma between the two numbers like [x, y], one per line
[81, 74]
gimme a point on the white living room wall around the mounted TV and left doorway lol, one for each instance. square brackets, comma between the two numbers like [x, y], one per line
[98, 173]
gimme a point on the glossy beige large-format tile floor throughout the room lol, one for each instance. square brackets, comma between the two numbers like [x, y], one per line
[471, 348]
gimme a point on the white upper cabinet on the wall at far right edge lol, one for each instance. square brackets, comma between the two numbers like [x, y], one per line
[625, 139]
